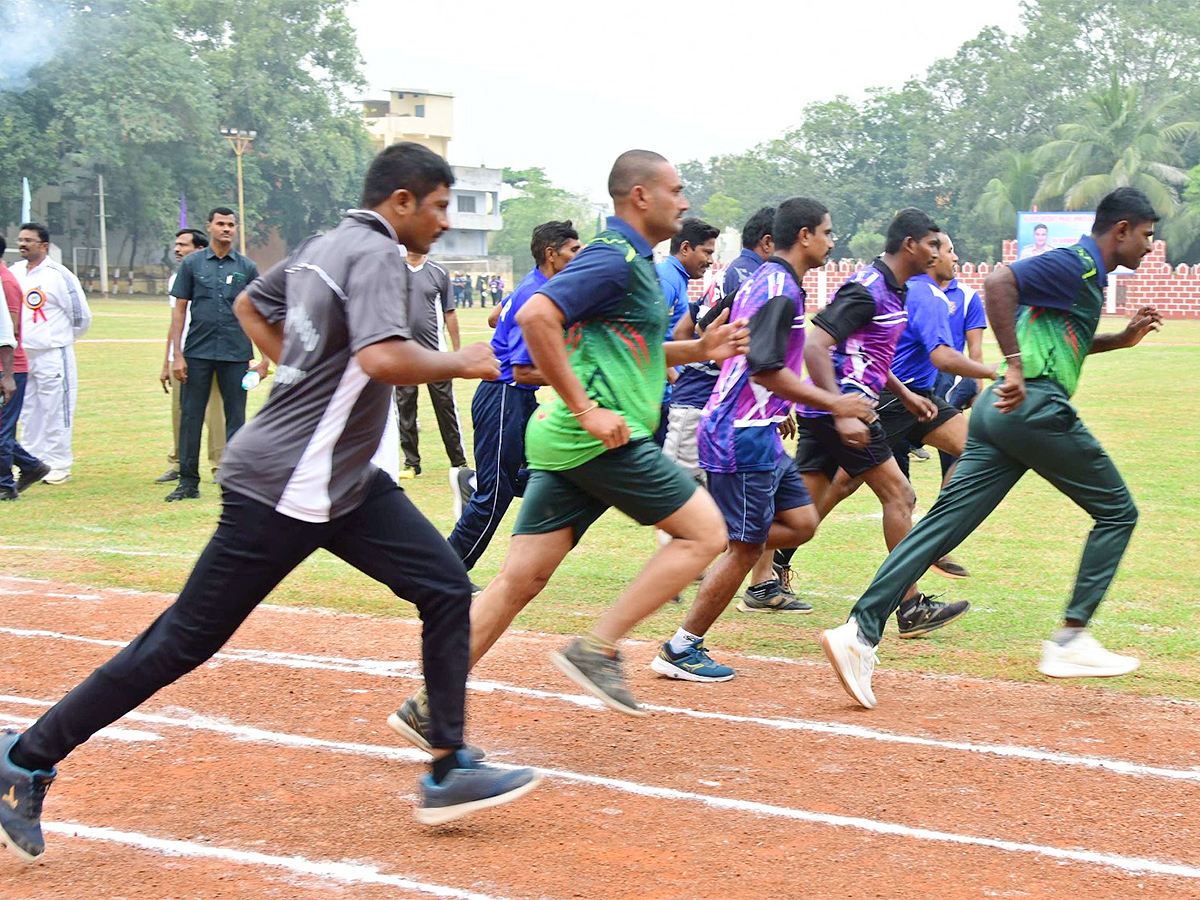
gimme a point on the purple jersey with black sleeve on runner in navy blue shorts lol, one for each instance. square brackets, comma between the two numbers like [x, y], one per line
[740, 427]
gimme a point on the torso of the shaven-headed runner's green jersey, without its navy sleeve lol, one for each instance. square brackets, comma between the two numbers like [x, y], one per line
[620, 362]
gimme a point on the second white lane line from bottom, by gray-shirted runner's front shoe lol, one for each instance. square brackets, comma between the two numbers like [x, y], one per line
[1131, 865]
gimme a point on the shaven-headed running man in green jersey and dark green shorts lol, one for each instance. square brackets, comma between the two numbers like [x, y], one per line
[592, 447]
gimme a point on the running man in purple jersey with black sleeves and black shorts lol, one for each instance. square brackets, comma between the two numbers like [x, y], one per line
[851, 351]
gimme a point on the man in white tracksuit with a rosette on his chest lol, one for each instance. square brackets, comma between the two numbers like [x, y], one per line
[55, 314]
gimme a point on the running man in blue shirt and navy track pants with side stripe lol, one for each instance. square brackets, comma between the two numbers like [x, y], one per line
[501, 410]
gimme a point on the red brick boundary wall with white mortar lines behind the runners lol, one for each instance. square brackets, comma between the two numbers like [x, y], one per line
[1175, 291]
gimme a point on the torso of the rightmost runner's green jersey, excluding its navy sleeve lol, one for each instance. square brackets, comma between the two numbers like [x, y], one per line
[1055, 343]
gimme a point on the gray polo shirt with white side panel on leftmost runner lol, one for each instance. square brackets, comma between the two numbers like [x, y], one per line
[309, 451]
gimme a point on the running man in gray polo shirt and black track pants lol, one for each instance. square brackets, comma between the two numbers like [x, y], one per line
[297, 478]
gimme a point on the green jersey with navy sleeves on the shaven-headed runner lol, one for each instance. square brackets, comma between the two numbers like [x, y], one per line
[615, 346]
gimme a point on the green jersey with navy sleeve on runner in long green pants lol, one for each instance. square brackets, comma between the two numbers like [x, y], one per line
[1063, 297]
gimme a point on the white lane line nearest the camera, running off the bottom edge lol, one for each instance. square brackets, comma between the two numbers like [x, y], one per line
[345, 873]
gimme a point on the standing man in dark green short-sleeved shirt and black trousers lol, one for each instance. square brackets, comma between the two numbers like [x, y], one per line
[217, 349]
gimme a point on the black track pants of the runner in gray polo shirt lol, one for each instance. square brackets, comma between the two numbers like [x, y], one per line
[251, 553]
